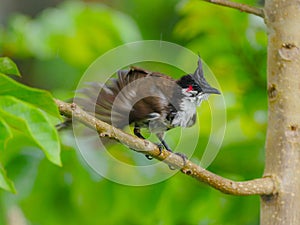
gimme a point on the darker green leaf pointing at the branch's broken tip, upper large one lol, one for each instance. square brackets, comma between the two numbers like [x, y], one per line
[39, 98]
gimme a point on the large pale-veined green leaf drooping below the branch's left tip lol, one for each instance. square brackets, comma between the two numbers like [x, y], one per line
[30, 120]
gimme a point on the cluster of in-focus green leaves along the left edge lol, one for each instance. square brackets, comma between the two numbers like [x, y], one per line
[20, 112]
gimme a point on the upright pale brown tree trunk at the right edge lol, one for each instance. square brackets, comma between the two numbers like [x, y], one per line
[283, 136]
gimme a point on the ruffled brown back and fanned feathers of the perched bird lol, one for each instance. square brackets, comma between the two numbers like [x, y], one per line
[136, 94]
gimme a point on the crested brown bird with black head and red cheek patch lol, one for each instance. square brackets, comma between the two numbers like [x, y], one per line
[145, 99]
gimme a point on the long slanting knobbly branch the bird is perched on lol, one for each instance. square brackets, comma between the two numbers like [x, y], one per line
[262, 186]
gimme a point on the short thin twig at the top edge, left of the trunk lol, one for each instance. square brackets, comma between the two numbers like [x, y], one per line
[242, 7]
